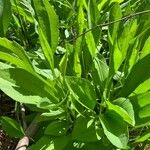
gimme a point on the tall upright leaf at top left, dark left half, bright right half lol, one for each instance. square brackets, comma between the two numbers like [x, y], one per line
[48, 21]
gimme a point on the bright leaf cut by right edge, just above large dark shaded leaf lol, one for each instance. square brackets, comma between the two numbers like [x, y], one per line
[146, 49]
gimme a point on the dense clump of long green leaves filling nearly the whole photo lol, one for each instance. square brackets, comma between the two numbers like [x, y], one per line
[87, 91]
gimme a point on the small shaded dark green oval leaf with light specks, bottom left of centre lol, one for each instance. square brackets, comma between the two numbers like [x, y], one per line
[57, 128]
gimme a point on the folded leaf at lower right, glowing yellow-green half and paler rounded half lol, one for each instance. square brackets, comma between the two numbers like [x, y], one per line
[124, 109]
